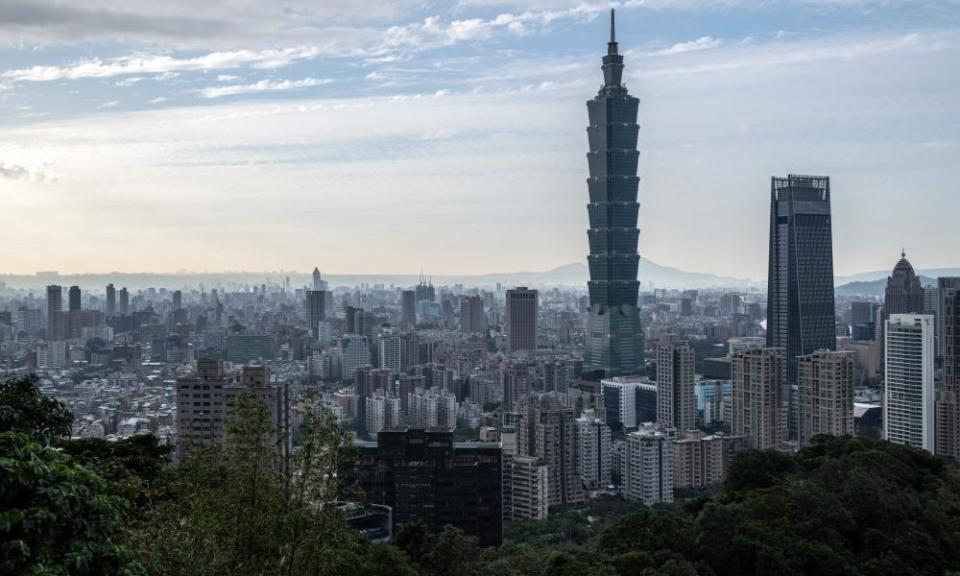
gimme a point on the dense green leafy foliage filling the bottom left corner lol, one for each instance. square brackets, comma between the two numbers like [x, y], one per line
[56, 517]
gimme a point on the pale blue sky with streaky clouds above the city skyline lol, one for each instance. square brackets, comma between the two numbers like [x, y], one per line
[364, 136]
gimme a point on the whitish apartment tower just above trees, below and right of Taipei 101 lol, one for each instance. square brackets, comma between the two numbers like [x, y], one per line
[647, 466]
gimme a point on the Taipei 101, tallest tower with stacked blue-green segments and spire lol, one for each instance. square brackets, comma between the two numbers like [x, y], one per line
[614, 337]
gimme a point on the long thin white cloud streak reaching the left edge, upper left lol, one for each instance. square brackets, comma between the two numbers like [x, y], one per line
[162, 64]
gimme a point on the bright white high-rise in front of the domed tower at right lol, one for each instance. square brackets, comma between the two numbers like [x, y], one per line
[908, 402]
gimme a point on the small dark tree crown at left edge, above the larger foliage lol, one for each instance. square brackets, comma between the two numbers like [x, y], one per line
[23, 408]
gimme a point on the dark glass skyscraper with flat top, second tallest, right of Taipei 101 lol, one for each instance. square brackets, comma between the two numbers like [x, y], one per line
[801, 317]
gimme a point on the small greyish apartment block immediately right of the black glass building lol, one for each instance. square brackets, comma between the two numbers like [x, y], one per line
[526, 493]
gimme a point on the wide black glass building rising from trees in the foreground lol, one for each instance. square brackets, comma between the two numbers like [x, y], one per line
[424, 476]
